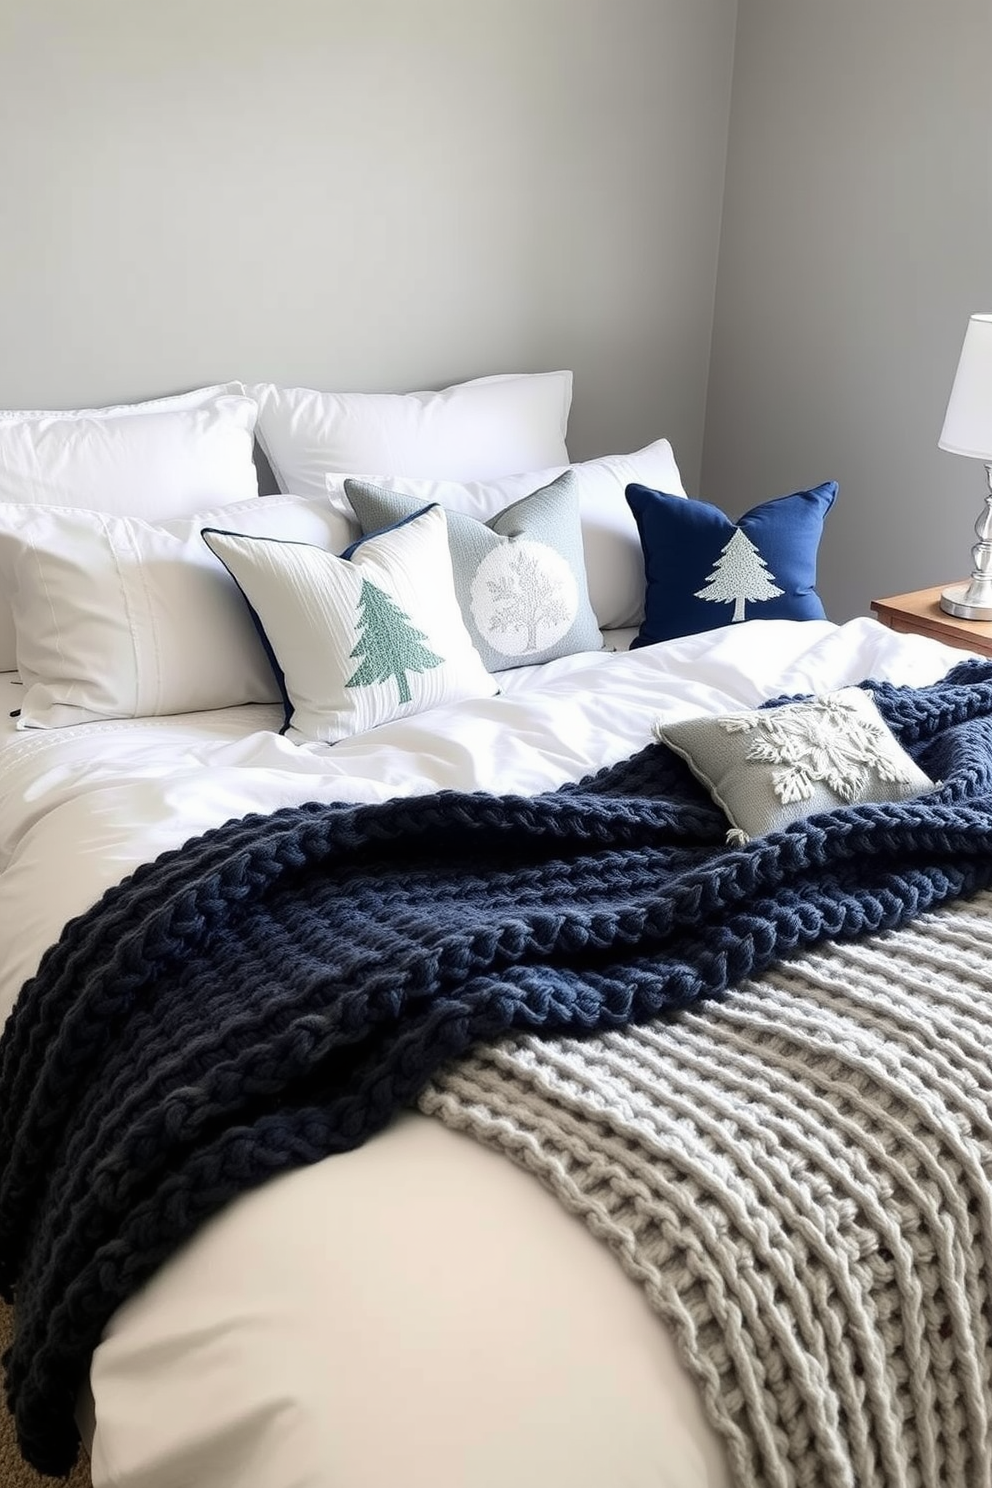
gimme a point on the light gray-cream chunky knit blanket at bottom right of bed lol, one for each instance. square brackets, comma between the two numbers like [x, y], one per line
[801, 1178]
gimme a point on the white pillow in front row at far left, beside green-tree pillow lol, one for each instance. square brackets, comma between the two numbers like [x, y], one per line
[118, 618]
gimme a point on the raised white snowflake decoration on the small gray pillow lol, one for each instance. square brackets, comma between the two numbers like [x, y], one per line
[828, 740]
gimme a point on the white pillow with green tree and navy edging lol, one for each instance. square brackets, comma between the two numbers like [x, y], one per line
[362, 639]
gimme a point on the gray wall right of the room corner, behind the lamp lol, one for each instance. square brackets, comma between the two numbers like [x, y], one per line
[857, 239]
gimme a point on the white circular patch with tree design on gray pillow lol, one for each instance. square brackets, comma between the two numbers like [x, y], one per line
[524, 599]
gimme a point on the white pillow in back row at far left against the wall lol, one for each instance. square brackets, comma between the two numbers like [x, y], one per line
[157, 461]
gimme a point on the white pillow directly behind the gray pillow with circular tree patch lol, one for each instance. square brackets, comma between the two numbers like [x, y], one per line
[612, 545]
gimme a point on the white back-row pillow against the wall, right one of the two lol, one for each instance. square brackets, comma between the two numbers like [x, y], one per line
[480, 429]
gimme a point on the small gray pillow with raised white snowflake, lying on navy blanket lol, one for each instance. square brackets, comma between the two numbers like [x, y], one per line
[771, 767]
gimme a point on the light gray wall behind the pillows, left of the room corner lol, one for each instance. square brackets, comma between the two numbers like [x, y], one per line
[367, 194]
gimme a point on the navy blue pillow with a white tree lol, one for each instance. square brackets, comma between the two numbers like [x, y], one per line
[703, 571]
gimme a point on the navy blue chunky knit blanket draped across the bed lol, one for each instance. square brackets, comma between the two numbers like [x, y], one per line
[276, 990]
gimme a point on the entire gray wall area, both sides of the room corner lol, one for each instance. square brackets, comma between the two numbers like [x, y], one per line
[395, 194]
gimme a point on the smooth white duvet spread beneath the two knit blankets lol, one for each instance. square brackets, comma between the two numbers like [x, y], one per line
[419, 1312]
